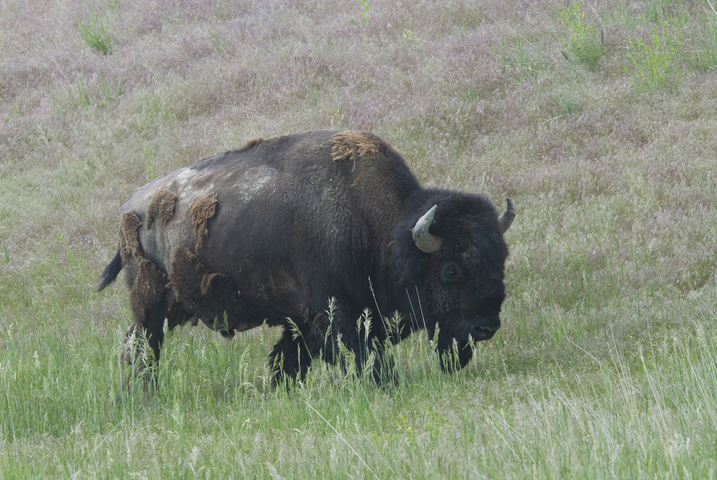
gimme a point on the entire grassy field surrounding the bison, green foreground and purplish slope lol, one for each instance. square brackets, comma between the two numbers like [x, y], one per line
[598, 118]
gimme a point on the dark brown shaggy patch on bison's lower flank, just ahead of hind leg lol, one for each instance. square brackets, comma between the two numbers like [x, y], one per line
[209, 295]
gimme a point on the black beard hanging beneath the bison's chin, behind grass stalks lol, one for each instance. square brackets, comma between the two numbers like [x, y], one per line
[454, 338]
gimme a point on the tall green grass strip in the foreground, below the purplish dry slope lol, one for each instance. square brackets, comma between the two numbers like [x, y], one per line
[553, 404]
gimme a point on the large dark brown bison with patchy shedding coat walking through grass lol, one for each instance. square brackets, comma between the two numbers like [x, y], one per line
[275, 231]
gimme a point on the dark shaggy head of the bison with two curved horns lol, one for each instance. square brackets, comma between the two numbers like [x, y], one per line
[459, 254]
